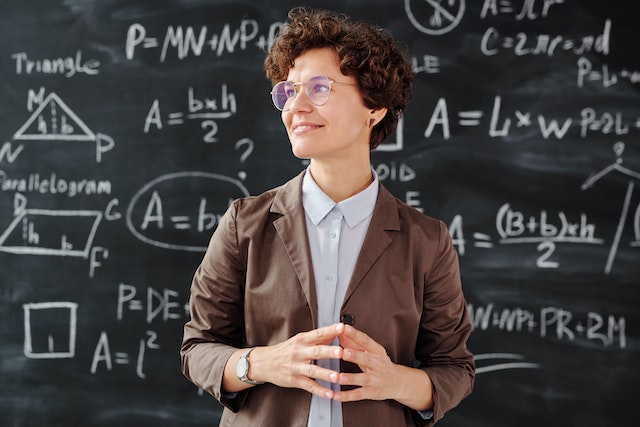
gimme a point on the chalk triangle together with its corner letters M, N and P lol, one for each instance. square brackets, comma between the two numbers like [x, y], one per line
[53, 121]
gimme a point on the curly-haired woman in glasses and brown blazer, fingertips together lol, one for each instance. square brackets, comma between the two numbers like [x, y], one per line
[327, 301]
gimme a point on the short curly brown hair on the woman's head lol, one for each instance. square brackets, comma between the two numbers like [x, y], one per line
[368, 53]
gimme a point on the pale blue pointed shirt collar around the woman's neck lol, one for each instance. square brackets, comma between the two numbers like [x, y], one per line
[355, 209]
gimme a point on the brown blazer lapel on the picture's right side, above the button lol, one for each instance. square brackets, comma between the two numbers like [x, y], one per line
[385, 218]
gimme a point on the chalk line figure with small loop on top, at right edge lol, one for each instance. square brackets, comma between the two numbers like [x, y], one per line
[618, 148]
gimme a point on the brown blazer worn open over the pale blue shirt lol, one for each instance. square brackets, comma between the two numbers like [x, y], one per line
[255, 287]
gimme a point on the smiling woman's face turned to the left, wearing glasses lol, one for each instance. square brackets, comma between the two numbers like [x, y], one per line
[335, 131]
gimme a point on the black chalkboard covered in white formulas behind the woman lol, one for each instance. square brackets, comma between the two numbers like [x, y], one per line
[126, 127]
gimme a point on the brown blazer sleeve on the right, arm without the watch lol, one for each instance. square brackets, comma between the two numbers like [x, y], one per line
[445, 328]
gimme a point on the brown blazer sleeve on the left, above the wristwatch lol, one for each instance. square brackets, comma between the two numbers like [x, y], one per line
[216, 327]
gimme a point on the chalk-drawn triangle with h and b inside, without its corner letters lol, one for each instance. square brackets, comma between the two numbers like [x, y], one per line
[53, 120]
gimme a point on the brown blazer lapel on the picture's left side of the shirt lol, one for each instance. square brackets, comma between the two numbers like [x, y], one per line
[292, 229]
